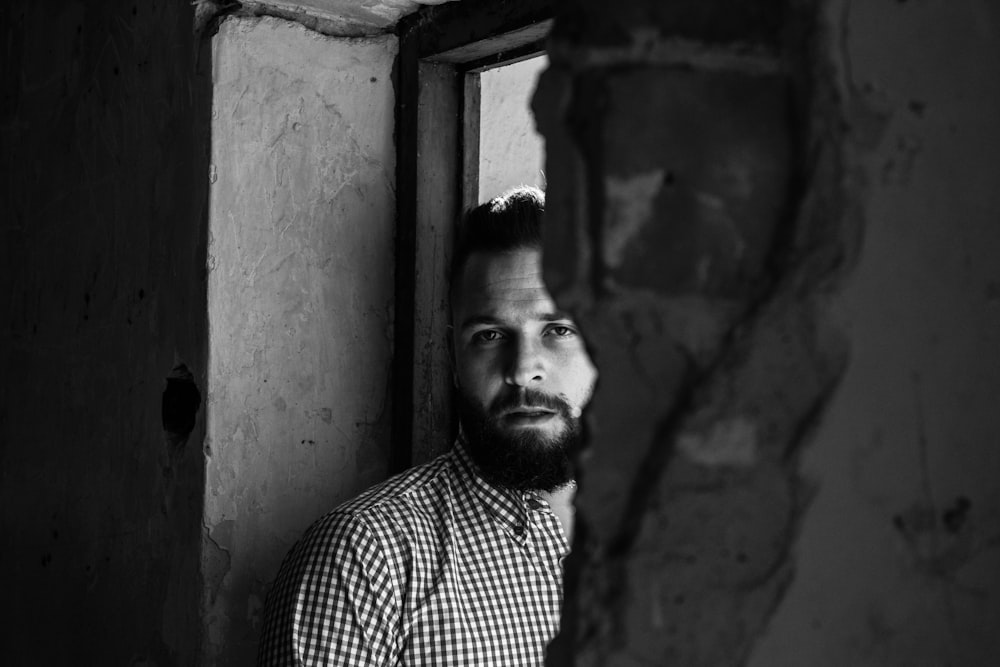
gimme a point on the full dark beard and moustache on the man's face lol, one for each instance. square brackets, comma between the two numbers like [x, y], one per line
[520, 459]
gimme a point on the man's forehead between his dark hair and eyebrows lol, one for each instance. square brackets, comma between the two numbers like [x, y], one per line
[501, 283]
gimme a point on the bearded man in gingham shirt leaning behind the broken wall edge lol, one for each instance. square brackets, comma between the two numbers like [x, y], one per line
[459, 561]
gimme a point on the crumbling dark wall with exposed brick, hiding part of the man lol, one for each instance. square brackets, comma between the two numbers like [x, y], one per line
[711, 166]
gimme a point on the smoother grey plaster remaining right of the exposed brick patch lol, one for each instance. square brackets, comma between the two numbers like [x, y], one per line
[898, 556]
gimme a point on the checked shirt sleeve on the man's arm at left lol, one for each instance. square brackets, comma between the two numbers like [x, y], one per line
[333, 601]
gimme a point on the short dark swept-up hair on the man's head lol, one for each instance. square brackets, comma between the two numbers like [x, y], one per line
[510, 221]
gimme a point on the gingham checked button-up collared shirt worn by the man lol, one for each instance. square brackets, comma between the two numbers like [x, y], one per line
[432, 567]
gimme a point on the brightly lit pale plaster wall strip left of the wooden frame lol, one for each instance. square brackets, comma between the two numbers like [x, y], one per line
[300, 301]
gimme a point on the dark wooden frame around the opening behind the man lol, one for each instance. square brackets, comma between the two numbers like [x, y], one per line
[442, 50]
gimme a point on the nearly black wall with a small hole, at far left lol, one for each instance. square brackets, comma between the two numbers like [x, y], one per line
[103, 123]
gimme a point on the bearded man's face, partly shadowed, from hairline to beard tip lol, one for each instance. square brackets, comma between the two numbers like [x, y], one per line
[522, 371]
